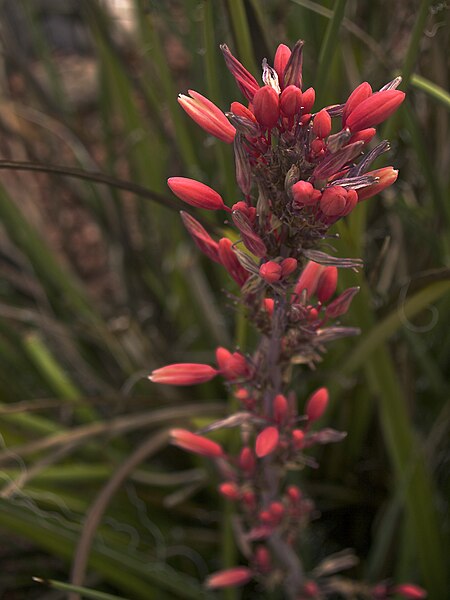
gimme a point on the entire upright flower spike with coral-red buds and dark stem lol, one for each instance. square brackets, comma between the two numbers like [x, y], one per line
[299, 173]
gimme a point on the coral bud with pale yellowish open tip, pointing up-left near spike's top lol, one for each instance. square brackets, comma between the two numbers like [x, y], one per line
[206, 114]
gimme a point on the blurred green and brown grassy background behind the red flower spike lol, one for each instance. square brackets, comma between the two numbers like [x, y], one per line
[100, 284]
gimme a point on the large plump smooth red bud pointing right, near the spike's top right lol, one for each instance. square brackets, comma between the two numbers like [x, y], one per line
[375, 109]
